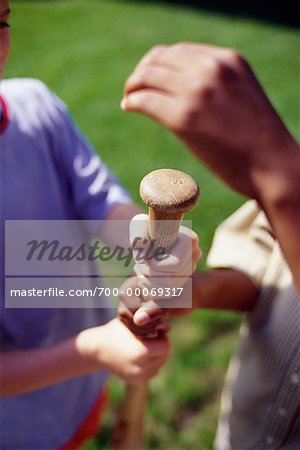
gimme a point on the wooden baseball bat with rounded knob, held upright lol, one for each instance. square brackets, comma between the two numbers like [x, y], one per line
[168, 194]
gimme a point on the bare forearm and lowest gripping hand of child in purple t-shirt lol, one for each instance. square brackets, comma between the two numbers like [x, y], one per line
[111, 347]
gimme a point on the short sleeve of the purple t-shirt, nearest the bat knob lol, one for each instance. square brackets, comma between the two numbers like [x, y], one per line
[91, 187]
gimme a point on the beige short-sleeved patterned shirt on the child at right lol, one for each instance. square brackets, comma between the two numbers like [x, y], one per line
[260, 406]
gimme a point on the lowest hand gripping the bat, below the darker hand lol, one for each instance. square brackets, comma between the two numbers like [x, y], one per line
[114, 347]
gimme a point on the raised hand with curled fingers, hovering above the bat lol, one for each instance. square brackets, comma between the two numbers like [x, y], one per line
[210, 99]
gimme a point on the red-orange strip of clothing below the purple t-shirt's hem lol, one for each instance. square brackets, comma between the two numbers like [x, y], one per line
[91, 424]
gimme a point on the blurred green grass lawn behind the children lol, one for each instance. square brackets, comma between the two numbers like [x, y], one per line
[84, 50]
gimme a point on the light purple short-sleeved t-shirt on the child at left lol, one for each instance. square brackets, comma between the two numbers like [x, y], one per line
[48, 172]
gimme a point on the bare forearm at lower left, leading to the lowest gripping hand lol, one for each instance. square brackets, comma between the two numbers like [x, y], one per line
[27, 370]
